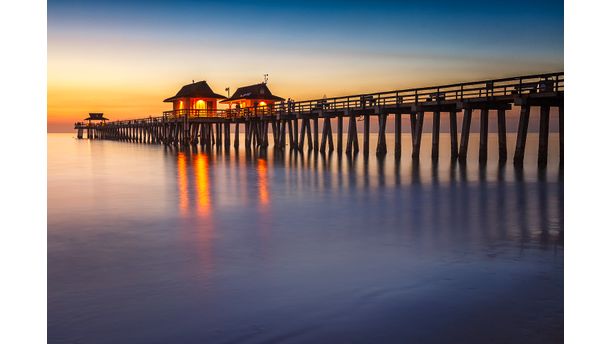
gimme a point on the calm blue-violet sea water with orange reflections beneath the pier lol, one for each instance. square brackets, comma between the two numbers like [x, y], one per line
[153, 245]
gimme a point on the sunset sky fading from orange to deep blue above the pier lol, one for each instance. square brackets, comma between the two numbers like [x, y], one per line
[124, 57]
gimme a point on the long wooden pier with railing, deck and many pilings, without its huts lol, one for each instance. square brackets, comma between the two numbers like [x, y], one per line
[296, 124]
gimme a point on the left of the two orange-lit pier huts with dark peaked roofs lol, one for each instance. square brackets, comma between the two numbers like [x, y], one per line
[197, 95]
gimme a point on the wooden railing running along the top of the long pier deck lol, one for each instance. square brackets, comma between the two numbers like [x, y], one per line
[551, 83]
